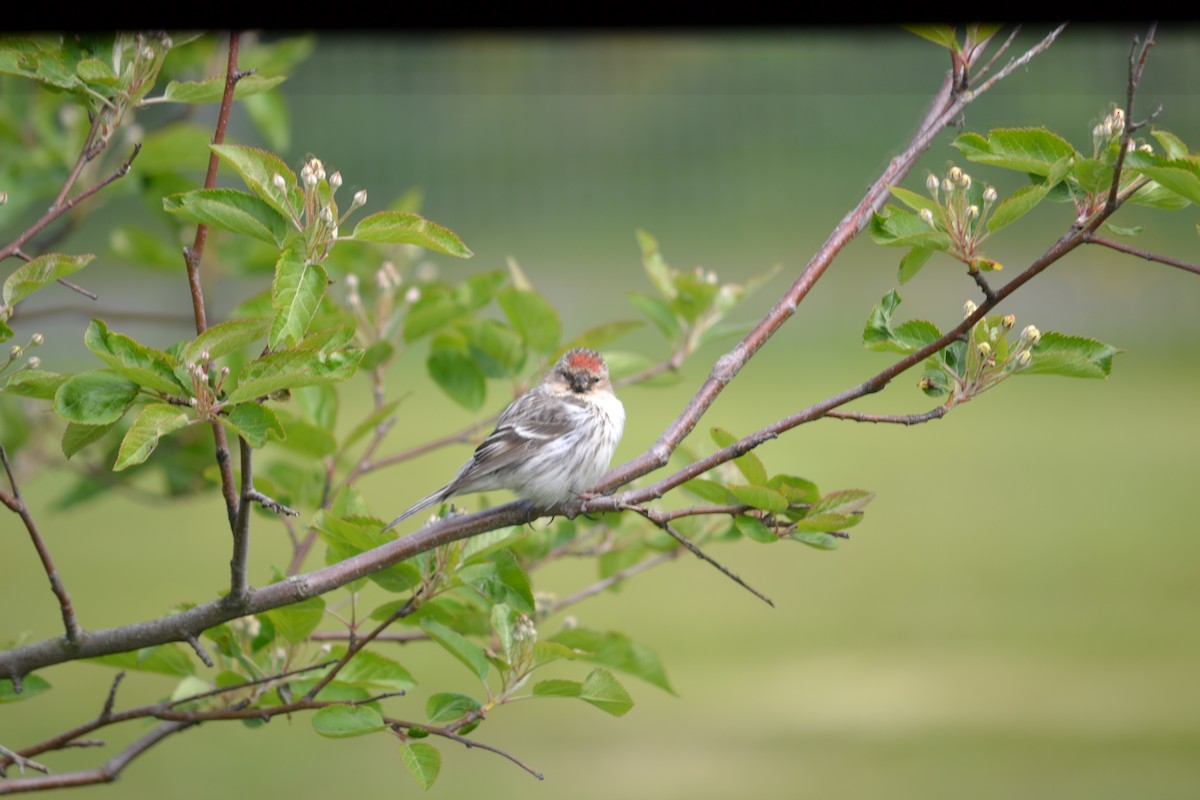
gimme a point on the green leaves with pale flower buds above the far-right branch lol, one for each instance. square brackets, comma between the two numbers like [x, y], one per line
[959, 214]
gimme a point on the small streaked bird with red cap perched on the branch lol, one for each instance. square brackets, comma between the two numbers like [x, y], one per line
[551, 444]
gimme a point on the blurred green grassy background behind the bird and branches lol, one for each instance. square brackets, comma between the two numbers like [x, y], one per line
[1017, 616]
